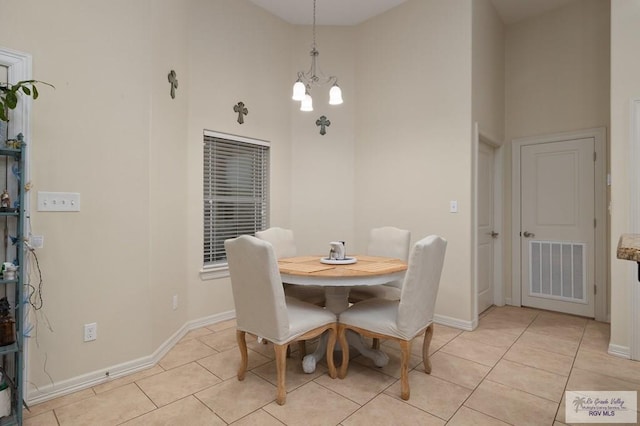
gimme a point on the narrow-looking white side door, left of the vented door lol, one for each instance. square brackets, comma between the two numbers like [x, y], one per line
[486, 232]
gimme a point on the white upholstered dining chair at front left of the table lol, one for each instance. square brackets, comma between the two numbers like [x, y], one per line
[262, 309]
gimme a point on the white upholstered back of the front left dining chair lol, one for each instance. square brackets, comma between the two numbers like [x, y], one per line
[257, 288]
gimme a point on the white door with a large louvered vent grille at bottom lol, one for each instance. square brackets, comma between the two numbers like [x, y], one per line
[557, 235]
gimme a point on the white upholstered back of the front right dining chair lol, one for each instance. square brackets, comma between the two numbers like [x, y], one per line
[420, 287]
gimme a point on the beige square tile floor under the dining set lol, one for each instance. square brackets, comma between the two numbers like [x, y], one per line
[513, 369]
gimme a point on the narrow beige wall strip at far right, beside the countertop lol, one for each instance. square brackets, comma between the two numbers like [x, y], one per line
[625, 86]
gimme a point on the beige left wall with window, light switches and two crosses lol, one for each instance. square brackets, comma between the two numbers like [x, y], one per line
[111, 132]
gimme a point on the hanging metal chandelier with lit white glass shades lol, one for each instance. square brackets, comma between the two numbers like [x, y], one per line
[314, 77]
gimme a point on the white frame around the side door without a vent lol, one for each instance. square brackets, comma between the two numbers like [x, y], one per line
[498, 290]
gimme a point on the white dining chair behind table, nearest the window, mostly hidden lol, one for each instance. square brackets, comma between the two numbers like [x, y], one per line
[284, 245]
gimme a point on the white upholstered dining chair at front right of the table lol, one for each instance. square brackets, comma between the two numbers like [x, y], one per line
[405, 319]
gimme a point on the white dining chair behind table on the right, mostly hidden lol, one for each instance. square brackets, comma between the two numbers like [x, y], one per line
[387, 241]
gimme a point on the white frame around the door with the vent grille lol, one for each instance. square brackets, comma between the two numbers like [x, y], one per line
[601, 256]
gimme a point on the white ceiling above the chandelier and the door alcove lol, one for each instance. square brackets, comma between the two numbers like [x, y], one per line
[353, 12]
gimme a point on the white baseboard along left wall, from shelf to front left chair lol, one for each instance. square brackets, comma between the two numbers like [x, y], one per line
[75, 384]
